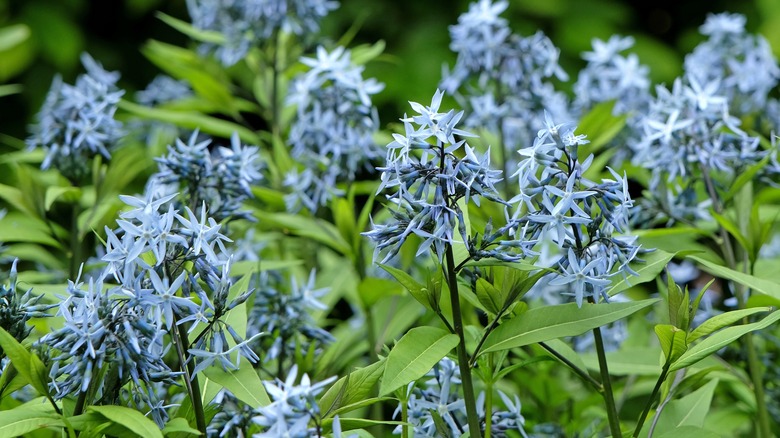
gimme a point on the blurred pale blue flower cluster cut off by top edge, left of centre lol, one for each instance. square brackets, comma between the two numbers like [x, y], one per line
[246, 23]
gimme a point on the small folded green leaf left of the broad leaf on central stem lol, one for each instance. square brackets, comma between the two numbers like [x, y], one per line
[352, 388]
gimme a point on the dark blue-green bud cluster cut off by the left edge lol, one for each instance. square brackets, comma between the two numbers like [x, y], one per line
[16, 309]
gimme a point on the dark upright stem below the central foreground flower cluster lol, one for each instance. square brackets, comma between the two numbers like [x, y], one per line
[463, 359]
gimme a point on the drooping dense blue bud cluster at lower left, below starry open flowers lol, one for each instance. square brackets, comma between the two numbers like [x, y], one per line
[104, 329]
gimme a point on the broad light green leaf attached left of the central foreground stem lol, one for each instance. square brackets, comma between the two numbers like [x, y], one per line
[414, 355]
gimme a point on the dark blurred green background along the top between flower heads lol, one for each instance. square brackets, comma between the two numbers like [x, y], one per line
[39, 38]
